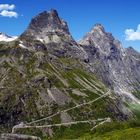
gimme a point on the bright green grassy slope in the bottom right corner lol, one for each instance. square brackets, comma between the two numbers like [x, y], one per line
[115, 131]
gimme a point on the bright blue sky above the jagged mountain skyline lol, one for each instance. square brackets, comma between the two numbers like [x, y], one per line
[117, 16]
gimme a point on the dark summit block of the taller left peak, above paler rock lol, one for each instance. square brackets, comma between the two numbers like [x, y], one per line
[46, 23]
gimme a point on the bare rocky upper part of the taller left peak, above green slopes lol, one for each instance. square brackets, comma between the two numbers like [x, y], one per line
[52, 34]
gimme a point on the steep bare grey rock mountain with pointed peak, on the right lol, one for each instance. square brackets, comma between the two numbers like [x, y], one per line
[118, 67]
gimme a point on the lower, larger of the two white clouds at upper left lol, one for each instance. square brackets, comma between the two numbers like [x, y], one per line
[10, 14]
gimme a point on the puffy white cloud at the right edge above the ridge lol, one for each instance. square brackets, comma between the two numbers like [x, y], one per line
[132, 35]
